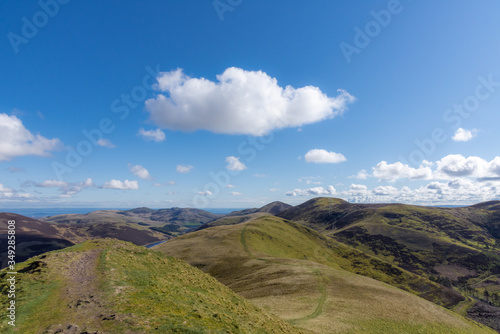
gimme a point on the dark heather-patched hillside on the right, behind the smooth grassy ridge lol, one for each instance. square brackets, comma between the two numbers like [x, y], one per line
[454, 246]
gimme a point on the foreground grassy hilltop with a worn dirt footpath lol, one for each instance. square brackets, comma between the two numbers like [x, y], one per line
[109, 286]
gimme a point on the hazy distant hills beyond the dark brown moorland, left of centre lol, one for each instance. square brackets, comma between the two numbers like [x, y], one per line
[171, 221]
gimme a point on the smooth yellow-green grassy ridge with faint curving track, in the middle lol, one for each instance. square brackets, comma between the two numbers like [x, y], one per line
[310, 281]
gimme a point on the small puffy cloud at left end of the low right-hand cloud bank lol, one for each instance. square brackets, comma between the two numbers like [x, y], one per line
[398, 170]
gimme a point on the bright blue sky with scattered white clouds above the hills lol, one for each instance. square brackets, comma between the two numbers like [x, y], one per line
[240, 103]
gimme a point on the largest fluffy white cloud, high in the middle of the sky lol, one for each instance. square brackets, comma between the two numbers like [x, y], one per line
[239, 102]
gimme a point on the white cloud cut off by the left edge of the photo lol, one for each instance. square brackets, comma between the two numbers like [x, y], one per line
[16, 140]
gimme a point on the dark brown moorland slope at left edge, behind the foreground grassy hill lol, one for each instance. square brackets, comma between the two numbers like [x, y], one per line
[35, 237]
